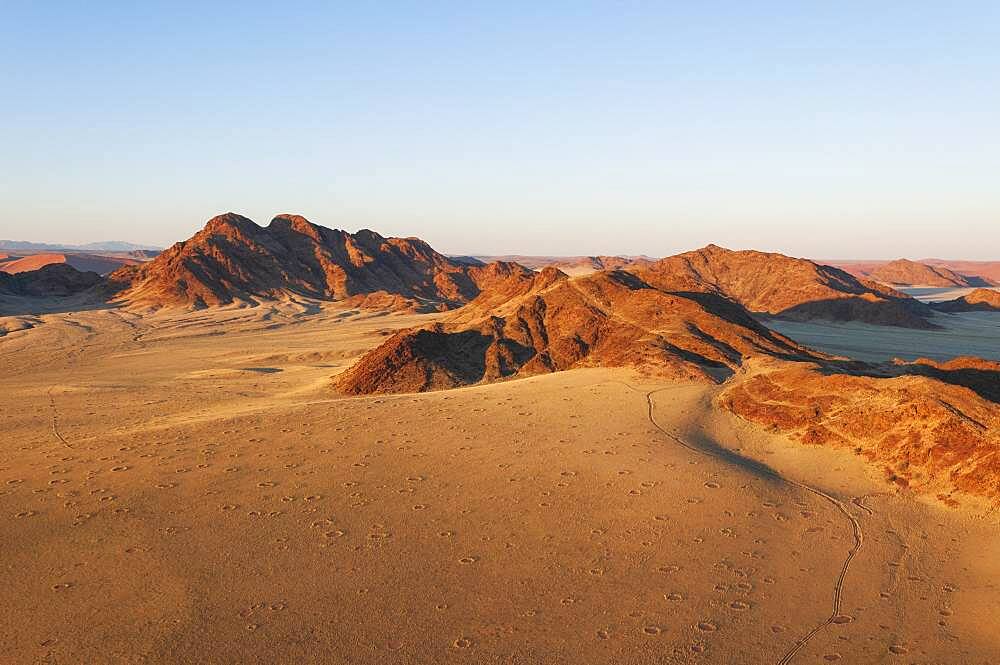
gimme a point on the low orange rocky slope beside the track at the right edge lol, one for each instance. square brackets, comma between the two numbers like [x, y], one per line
[932, 427]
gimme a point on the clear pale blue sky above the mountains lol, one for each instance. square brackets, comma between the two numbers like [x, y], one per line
[823, 129]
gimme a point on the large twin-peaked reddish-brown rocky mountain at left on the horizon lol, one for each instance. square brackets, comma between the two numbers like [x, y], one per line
[233, 260]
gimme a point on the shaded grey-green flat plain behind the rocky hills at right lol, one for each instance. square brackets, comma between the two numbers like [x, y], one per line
[962, 334]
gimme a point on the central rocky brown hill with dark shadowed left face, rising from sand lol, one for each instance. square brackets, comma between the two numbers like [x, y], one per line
[549, 322]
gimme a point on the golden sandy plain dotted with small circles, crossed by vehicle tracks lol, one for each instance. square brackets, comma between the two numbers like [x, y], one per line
[188, 490]
